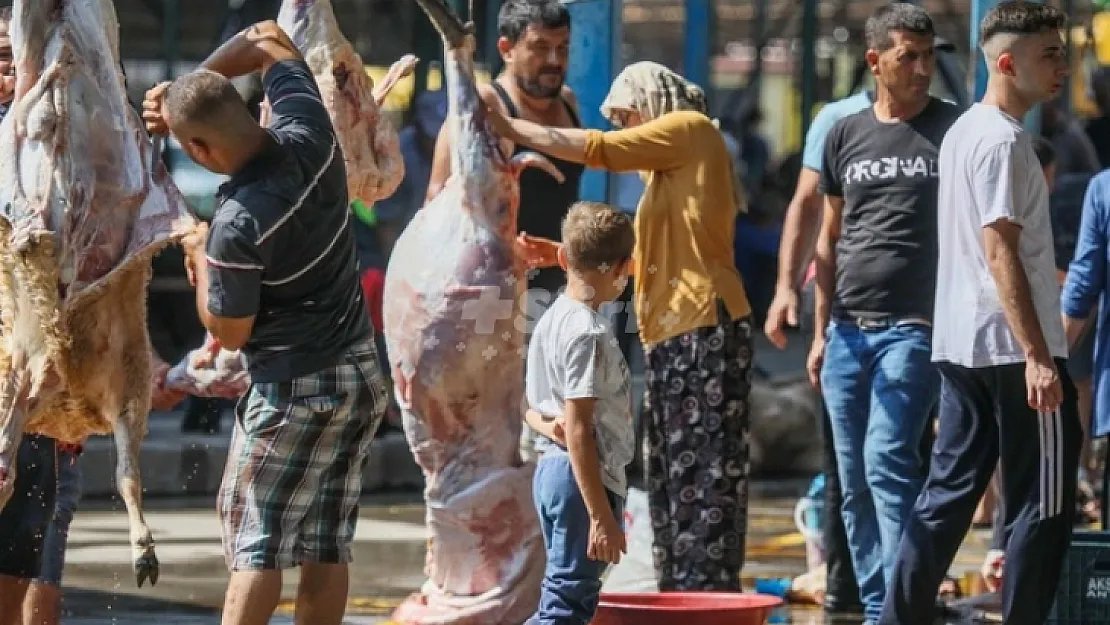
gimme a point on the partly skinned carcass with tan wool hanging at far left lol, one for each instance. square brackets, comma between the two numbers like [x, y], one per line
[83, 215]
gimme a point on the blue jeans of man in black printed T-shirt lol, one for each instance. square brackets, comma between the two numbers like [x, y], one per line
[880, 388]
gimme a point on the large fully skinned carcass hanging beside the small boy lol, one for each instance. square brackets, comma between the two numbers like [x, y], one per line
[457, 356]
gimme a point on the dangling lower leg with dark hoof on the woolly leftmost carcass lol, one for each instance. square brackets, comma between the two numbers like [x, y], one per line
[129, 434]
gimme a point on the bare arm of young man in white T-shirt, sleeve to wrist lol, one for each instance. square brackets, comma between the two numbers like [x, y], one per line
[1002, 240]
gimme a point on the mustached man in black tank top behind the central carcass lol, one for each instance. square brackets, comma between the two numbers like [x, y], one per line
[534, 41]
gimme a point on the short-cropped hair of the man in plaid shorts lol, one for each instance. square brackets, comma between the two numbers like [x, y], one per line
[204, 98]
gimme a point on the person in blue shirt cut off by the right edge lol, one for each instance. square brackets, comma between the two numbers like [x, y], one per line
[1087, 284]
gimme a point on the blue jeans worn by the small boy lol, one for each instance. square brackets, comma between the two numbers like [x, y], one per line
[572, 582]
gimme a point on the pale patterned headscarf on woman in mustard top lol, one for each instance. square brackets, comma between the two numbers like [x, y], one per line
[652, 90]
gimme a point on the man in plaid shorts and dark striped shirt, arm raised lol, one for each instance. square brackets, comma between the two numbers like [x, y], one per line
[278, 279]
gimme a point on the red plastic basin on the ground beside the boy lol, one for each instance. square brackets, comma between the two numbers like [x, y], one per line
[671, 609]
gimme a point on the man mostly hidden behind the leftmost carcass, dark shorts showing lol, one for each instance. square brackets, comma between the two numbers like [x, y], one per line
[25, 520]
